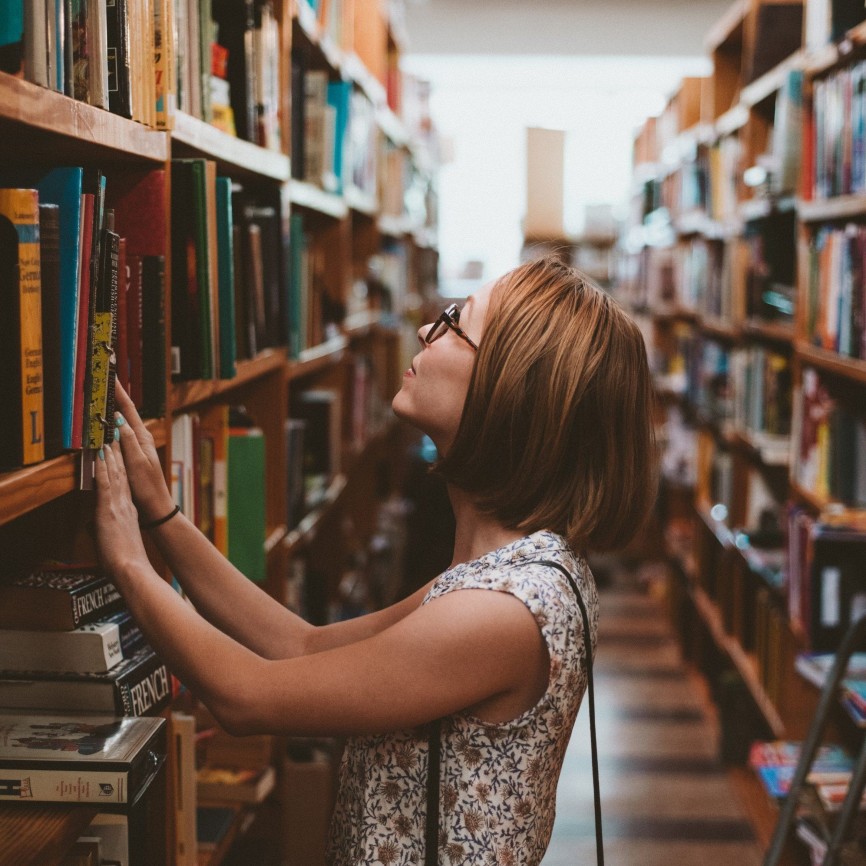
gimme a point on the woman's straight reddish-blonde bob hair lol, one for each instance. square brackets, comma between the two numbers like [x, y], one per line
[556, 431]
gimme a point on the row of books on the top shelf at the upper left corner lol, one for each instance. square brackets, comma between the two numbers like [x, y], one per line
[106, 54]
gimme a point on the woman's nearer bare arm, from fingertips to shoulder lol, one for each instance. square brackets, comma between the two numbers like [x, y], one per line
[458, 651]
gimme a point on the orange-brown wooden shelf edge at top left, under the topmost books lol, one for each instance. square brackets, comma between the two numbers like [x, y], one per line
[39, 108]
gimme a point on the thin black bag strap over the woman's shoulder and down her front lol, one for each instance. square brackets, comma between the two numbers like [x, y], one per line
[431, 836]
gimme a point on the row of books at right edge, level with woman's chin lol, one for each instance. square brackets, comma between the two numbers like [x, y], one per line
[829, 443]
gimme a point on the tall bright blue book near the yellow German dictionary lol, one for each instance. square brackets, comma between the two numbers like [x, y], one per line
[62, 186]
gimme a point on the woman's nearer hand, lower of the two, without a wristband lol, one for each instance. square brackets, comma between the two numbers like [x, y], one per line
[118, 537]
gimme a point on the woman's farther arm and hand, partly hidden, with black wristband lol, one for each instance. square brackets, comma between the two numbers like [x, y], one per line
[221, 593]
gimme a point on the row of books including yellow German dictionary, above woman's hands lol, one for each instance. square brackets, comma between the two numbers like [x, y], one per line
[90, 295]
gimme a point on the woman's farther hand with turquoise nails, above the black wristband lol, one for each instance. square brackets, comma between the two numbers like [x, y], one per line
[141, 461]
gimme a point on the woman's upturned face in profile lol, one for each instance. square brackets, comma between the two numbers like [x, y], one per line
[435, 386]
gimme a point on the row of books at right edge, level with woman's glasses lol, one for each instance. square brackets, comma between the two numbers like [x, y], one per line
[836, 298]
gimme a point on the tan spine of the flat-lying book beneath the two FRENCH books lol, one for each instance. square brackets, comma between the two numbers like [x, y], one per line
[62, 786]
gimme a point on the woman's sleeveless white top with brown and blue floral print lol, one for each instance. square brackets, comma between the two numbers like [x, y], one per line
[498, 781]
